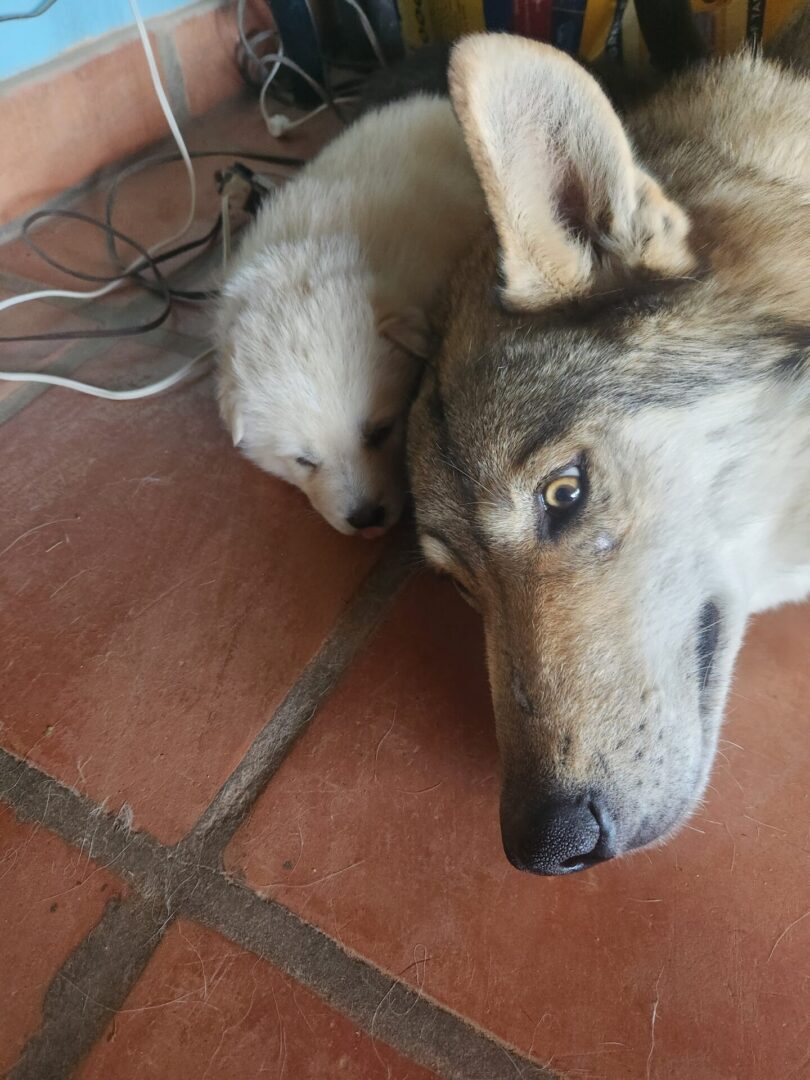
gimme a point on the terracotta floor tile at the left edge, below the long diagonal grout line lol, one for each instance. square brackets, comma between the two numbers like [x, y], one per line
[51, 897]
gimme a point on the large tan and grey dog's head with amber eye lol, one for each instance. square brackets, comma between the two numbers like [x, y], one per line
[558, 481]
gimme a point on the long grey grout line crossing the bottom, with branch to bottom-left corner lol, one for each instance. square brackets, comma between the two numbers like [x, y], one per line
[175, 883]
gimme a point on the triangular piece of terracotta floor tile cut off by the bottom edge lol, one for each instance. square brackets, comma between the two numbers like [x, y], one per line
[206, 1008]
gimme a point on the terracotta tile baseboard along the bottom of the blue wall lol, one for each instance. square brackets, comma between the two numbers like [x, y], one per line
[63, 121]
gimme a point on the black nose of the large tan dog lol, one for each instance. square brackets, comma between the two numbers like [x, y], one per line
[558, 835]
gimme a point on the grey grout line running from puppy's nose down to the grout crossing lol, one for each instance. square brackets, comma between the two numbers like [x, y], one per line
[233, 803]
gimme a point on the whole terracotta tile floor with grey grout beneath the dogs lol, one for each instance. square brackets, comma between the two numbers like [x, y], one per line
[245, 832]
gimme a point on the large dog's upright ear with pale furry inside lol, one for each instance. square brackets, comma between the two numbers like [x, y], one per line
[570, 204]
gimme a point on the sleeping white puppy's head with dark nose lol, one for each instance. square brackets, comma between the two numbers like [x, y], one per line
[316, 375]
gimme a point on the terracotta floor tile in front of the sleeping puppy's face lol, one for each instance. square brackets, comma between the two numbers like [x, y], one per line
[163, 595]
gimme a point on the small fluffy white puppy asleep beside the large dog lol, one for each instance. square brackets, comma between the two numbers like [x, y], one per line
[323, 318]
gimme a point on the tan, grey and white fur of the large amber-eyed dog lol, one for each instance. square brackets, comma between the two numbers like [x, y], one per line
[654, 325]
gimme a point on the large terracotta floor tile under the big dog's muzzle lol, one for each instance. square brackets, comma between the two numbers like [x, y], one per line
[691, 961]
